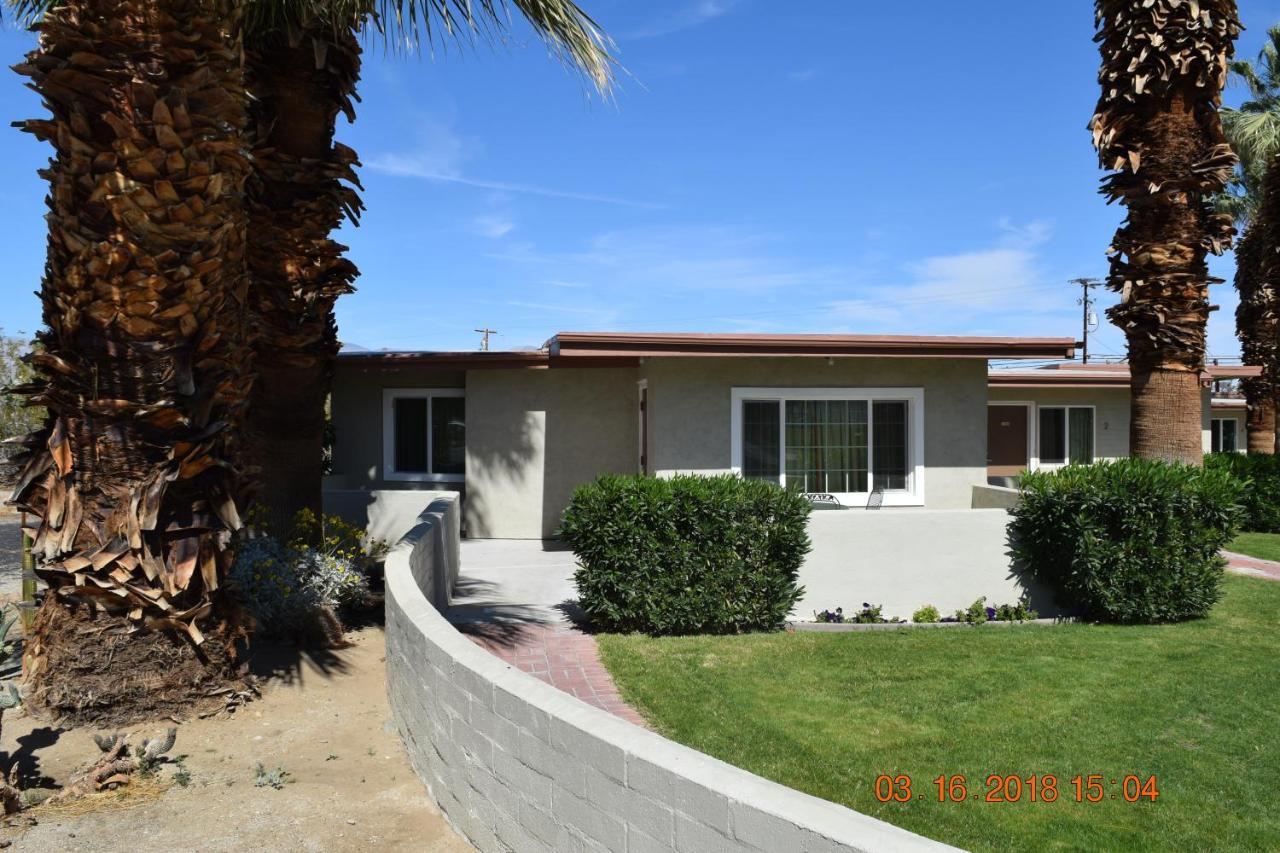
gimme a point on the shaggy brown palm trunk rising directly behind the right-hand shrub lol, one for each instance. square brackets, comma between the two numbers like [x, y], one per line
[1158, 129]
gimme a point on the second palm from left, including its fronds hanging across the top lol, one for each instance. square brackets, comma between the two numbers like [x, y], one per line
[304, 66]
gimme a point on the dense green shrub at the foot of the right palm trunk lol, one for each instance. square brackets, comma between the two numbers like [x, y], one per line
[1132, 541]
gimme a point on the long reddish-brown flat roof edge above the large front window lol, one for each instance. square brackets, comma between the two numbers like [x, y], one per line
[644, 345]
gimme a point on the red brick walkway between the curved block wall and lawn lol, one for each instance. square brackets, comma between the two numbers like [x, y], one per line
[566, 659]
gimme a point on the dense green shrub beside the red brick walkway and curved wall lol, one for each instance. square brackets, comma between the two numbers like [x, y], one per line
[688, 555]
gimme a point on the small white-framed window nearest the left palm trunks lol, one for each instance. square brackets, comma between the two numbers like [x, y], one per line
[424, 435]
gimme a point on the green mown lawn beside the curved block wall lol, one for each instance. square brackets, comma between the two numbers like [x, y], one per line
[1197, 705]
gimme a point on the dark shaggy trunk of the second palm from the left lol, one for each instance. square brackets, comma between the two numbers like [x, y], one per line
[300, 194]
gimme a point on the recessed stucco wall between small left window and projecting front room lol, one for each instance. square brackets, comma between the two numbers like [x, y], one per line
[534, 436]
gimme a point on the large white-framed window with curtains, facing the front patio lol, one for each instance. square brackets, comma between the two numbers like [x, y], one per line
[833, 441]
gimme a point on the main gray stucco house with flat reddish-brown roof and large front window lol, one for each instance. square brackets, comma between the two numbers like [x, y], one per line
[902, 418]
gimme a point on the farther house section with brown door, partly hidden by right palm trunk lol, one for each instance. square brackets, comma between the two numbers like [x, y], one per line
[1080, 413]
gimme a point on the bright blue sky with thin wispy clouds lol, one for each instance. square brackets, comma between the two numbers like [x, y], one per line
[917, 167]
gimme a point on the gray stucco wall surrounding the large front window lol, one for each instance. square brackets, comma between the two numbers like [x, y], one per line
[691, 410]
